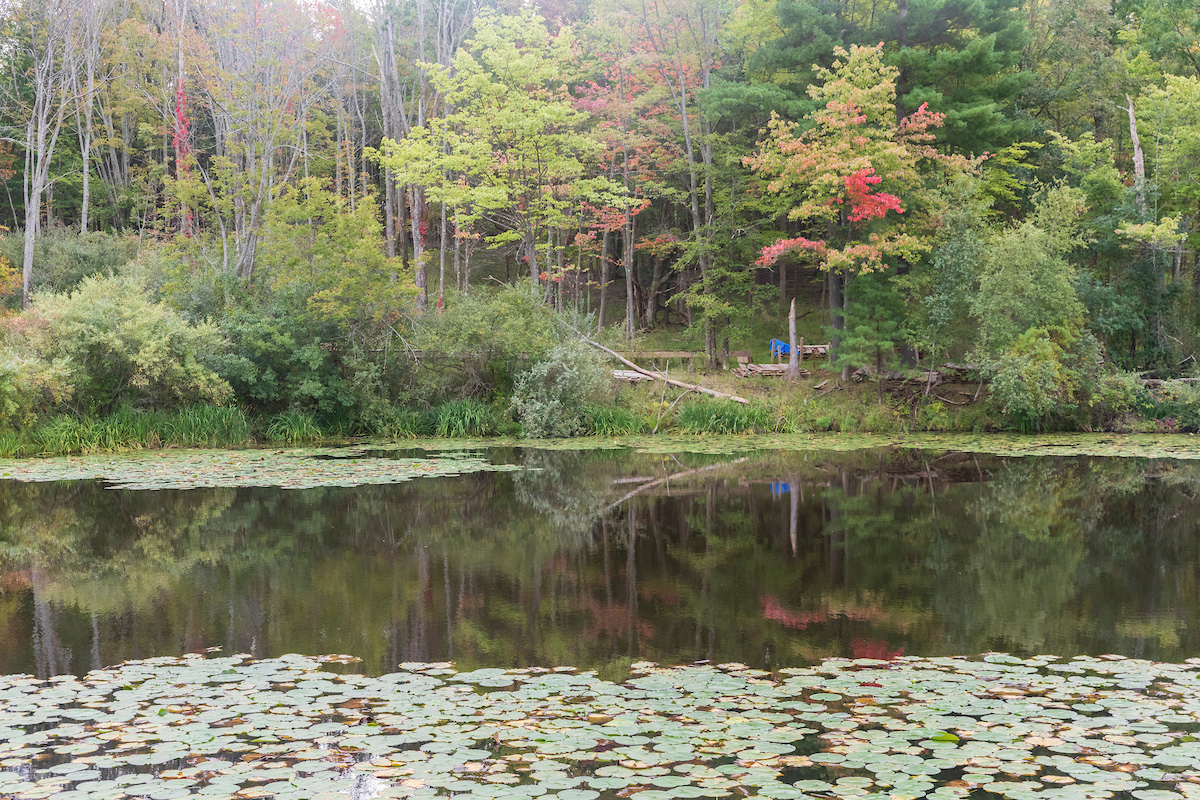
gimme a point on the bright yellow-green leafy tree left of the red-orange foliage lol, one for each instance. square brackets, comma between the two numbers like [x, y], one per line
[514, 137]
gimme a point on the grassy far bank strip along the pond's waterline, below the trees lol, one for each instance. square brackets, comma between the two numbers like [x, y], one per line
[819, 404]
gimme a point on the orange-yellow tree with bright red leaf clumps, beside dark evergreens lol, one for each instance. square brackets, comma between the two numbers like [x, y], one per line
[860, 178]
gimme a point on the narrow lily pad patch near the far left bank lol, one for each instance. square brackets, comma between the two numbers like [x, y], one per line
[291, 470]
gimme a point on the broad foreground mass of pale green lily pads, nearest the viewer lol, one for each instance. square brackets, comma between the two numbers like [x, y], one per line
[863, 730]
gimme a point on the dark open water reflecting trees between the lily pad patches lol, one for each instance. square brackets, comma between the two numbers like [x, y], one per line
[601, 560]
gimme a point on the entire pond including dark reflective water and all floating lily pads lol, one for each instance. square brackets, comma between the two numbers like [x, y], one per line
[857, 617]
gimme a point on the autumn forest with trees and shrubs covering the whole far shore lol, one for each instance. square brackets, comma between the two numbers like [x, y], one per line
[292, 218]
